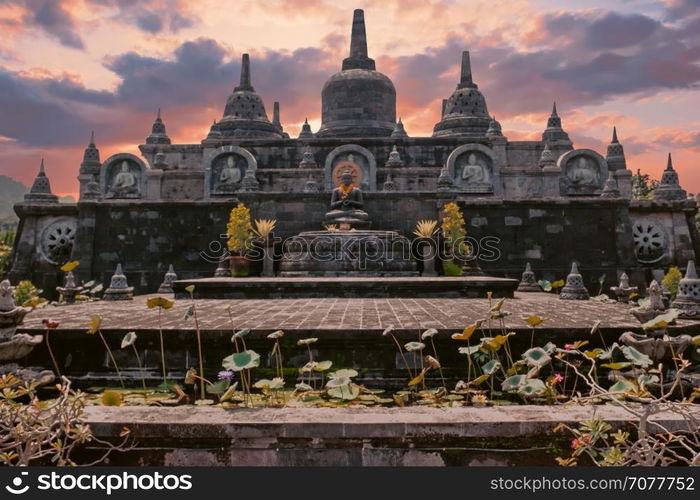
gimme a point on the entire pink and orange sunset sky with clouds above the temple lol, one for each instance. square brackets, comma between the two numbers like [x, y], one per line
[70, 66]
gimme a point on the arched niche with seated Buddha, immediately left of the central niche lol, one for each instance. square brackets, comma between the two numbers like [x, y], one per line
[225, 169]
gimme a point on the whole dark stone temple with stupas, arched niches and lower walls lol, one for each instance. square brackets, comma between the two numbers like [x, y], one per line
[546, 202]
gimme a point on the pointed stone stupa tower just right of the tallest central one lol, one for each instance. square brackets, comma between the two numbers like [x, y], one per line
[464, 114]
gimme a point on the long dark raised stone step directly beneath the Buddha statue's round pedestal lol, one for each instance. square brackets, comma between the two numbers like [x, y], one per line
[347, 287]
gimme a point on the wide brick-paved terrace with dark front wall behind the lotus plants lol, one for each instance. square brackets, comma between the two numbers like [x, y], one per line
[349, 333]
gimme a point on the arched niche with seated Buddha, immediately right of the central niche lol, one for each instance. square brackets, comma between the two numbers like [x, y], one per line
[473, 168]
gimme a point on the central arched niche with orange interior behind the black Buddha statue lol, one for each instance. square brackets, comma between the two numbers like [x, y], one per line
[360, 161]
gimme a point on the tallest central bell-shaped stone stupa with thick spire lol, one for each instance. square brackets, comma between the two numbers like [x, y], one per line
[359, 101]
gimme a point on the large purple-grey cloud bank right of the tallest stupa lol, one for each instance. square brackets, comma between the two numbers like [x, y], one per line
[576, 58]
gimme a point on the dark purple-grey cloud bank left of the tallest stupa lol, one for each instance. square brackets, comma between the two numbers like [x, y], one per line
[192, 85]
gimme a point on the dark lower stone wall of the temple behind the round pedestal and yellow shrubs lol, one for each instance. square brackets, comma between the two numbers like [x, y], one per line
[145, 237]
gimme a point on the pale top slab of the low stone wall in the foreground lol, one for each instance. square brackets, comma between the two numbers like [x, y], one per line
[189, 422]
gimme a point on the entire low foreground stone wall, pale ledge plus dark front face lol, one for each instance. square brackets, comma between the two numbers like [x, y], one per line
[496, 436]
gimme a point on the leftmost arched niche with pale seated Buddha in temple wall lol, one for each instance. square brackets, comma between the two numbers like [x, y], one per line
[123, 176]
